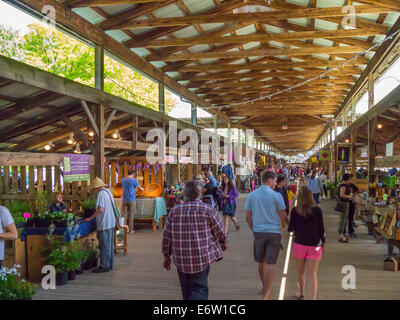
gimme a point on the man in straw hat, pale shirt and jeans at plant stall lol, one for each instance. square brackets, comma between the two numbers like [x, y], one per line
[105, 220]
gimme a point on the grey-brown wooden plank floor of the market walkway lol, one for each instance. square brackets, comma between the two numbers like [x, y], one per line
[140, 274]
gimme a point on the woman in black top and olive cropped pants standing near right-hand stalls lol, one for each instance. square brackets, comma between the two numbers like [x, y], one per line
[345, 197]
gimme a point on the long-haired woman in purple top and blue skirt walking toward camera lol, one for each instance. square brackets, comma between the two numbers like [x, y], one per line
[229, 194]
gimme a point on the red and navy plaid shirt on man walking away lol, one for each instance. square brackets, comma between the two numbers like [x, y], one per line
[191, 233]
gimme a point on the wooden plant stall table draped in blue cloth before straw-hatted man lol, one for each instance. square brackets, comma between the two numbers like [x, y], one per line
[35, 239]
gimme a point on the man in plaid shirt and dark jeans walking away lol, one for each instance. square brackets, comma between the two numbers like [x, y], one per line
[193, 234]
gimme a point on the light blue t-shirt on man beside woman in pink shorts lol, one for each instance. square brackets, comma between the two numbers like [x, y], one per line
[264, 204]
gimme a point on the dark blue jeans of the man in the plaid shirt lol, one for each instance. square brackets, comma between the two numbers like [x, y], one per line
[194, 286]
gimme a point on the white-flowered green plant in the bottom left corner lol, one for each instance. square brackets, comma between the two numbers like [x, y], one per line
[12, 288]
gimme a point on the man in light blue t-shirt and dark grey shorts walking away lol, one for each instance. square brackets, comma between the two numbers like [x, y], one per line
[266, 217]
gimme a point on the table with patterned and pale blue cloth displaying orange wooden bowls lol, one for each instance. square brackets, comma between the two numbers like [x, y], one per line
[151, 209]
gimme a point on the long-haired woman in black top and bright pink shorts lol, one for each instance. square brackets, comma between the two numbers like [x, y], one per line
[309, 240]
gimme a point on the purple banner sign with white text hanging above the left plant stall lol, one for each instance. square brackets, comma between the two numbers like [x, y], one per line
[76, 167]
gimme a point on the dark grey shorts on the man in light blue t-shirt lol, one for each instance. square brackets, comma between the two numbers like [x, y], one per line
[266, 247]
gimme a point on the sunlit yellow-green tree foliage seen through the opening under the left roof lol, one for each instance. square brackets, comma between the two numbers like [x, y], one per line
[58, 53]
